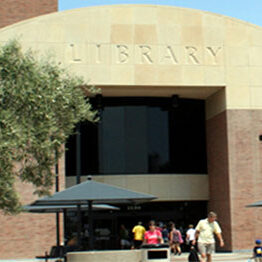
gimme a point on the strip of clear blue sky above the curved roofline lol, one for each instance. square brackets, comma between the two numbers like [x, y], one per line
[250, 11]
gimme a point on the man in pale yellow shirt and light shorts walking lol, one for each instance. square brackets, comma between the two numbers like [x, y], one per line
[205, 231]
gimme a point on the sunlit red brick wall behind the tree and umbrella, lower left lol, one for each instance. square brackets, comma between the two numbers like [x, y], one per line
[29, 234]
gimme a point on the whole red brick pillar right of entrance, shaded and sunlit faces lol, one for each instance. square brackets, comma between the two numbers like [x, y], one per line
[235, 174]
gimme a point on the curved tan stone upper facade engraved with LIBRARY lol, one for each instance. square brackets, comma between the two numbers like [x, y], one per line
[191, 53]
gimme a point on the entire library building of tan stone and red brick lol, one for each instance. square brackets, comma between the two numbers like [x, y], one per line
[180, 118]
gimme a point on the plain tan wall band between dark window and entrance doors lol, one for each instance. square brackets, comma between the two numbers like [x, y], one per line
[165, 187]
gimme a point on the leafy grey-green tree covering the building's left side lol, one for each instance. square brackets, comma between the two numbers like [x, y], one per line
[40, 104]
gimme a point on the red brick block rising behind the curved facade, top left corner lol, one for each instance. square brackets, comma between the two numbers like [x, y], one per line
[12, 11]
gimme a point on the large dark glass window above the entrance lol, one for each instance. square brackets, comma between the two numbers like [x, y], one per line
[142, 136]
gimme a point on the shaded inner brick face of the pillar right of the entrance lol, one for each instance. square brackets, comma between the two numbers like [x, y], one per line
[218, 173]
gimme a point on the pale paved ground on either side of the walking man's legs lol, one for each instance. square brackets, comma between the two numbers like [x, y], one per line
[239, 257]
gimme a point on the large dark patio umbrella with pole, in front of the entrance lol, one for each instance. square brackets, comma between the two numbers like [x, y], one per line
[91, 192]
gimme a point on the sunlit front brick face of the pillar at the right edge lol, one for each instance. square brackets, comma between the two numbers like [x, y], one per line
[245, 154]
